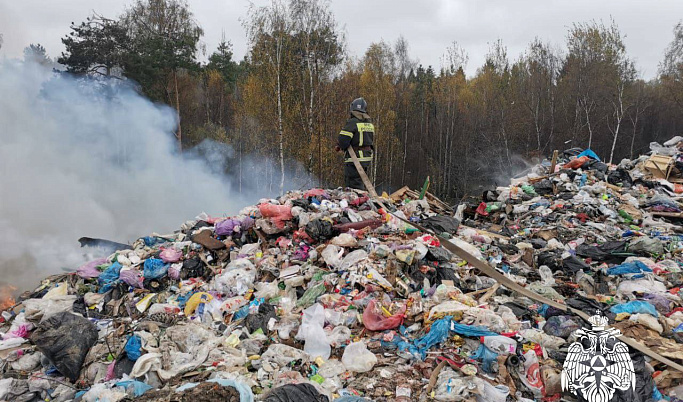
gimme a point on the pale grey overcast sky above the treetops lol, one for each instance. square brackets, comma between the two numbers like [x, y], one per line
[428, 25]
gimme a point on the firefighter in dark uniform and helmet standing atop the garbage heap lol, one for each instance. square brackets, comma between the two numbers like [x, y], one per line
[358, 133]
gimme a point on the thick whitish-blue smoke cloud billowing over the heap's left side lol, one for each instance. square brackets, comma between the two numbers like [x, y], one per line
[90, 158]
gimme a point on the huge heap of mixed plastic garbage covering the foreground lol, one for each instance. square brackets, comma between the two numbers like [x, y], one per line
[326, 295]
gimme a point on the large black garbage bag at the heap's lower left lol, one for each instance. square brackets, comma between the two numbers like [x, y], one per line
[65, 339]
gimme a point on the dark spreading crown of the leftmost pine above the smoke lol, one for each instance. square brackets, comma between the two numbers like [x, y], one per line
[98, 46]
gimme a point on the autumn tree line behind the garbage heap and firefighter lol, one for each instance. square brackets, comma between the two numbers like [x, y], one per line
[288, 98]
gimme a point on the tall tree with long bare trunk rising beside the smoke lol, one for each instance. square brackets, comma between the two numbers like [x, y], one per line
[165, 39]
